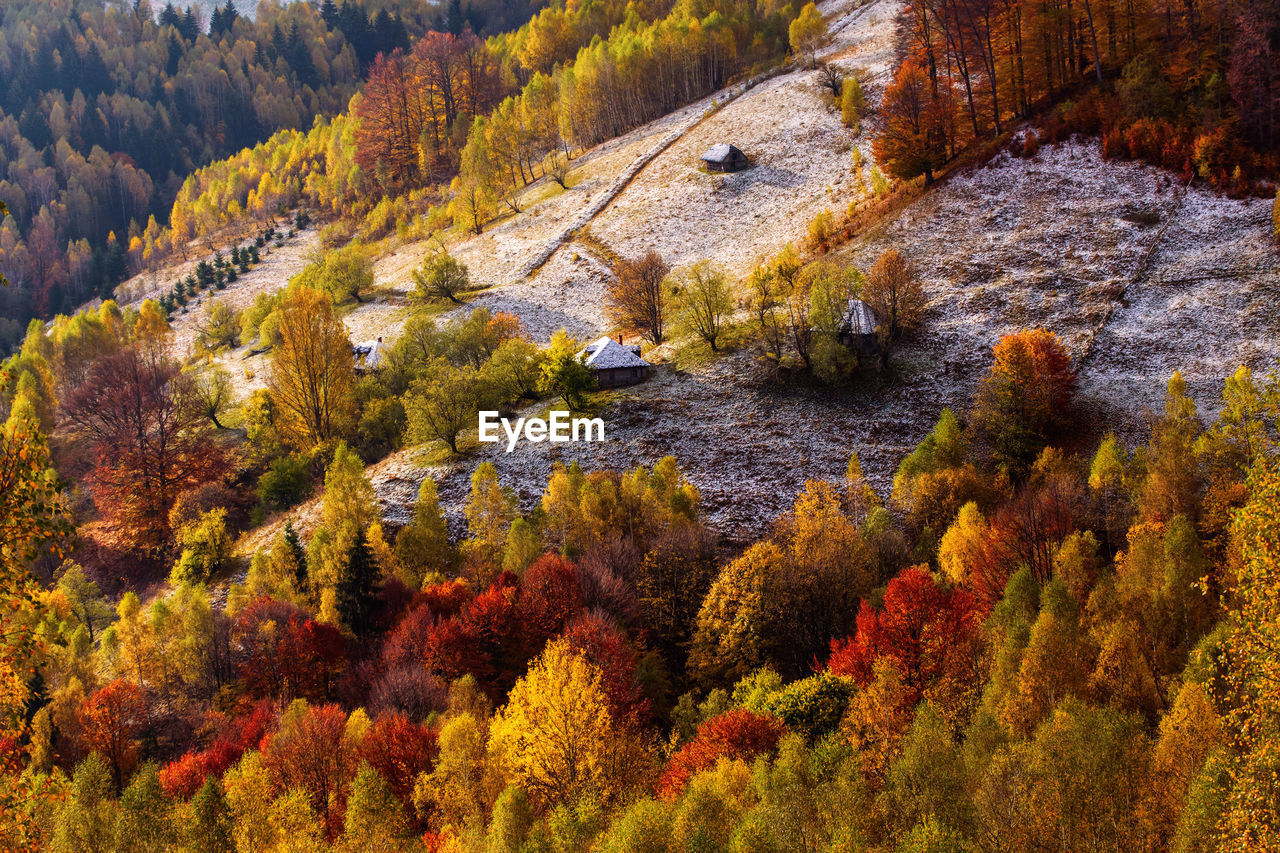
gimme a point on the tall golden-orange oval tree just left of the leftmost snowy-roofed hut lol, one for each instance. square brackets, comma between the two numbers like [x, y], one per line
[313, 377]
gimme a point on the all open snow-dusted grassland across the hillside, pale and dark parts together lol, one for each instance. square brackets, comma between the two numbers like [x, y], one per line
[1139, 273]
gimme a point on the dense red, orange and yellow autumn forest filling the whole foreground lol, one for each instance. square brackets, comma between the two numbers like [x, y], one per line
[1023, 649]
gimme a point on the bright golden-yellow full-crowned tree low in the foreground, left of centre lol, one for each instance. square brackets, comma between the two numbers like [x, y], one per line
[556, 737]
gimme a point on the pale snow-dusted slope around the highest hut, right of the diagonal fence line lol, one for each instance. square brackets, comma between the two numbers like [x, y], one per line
[802, 156]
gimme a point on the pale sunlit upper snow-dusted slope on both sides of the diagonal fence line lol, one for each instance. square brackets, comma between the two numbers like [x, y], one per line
[803, 165]
